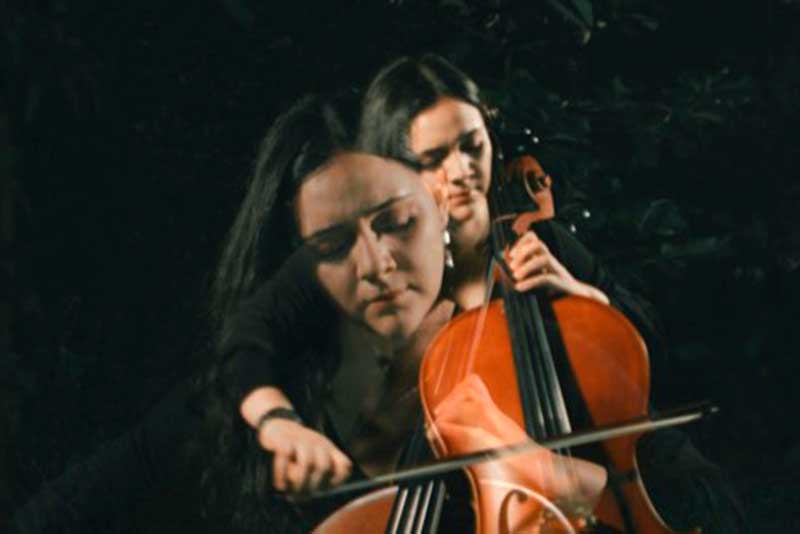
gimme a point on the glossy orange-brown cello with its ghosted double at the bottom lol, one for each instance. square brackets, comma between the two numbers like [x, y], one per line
[603, 362]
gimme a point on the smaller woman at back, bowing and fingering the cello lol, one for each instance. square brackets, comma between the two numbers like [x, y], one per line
[427, 110]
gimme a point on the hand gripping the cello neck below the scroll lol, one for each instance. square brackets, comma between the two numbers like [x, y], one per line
[533, 266]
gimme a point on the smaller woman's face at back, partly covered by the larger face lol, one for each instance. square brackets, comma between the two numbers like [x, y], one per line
[451, 135]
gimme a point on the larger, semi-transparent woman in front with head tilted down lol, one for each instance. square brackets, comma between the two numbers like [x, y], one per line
[362, 229]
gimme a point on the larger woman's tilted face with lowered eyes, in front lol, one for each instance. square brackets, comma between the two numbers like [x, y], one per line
[376, 234]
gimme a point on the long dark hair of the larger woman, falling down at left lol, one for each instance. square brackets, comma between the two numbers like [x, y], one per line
[237, 477]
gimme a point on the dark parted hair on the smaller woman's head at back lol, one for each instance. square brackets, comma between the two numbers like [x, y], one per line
[404, 88]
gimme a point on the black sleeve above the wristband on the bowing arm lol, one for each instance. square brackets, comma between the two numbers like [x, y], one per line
[281, 318]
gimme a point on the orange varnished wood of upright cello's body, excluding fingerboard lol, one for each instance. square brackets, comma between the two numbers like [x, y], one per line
[611, 366]
